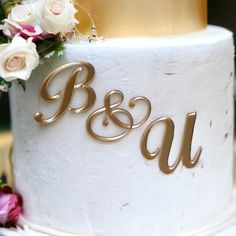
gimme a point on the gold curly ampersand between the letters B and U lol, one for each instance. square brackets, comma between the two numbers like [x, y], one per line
[112, 110]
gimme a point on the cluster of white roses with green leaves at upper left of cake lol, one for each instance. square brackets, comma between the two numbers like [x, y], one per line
[32, 31]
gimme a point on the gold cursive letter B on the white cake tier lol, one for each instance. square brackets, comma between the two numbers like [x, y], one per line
[68, 92]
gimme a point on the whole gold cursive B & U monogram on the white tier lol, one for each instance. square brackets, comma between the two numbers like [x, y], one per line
[111, 112]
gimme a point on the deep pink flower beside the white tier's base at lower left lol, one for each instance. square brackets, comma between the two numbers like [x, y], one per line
[10, 207]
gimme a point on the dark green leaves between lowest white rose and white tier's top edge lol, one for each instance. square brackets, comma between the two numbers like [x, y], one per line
[49, 48]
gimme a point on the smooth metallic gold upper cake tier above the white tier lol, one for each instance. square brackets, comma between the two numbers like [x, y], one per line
[132, 18]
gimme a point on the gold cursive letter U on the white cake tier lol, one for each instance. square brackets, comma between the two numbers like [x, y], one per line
[164, 151]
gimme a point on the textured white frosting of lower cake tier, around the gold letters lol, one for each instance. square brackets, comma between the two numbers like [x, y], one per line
[74, 184]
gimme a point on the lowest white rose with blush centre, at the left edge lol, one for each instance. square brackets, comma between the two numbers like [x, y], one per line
[18, 59]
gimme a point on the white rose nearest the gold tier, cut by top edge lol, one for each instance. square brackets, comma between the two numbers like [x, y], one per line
[58, 16]
